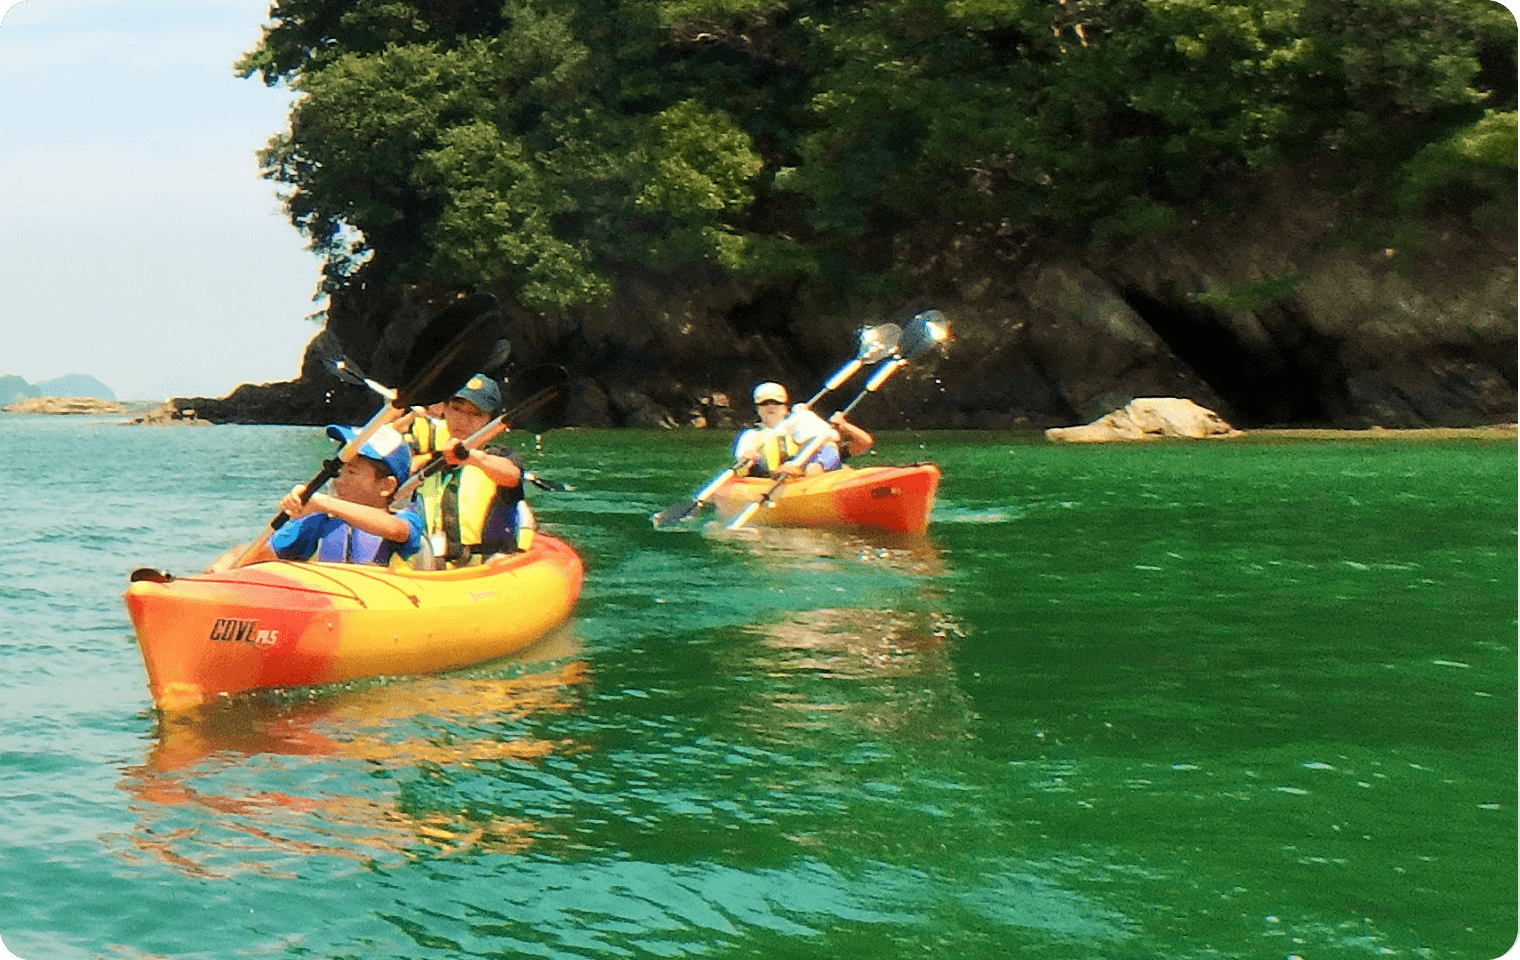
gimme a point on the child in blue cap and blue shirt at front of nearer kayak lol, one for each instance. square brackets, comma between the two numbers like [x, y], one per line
[353, 525]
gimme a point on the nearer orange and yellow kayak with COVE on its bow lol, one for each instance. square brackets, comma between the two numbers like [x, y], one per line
[306, 624]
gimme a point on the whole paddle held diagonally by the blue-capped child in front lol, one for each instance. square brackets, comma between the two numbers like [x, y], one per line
[443, 356]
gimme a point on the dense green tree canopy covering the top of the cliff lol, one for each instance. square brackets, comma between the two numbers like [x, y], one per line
[537, 145]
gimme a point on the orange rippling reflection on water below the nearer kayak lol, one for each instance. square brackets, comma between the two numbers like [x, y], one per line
[366, 774]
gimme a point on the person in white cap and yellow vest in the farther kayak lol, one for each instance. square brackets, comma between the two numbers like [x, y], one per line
[771, 446]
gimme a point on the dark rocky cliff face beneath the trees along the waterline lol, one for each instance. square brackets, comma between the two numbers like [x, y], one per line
[1262, 312]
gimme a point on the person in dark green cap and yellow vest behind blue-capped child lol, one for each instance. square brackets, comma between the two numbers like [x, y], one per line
[477, 508]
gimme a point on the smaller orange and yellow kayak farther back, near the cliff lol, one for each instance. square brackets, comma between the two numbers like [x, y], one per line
[896, 499]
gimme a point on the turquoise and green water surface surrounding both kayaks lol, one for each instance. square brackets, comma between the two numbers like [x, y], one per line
[1241, 699]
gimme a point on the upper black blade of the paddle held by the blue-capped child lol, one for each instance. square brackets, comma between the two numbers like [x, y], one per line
[452, 349]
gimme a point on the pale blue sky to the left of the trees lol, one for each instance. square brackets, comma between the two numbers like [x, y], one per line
[138, 241]
